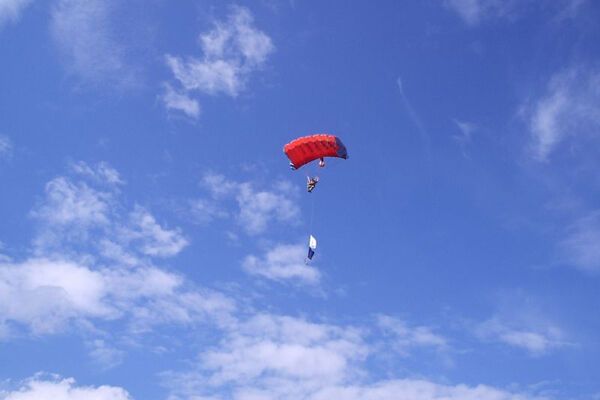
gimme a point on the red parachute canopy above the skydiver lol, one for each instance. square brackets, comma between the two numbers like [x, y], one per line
[309, 148]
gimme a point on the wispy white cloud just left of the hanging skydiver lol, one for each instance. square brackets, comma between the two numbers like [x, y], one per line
[257, 208]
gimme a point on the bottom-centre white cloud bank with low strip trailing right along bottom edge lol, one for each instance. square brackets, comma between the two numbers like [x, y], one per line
[272, 357]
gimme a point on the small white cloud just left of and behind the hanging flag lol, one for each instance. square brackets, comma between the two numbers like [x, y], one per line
[283, 263]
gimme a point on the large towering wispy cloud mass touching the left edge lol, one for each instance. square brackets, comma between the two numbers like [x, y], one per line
[95, 263]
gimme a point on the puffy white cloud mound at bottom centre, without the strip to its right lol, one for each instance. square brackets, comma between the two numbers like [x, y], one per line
[284, 355]
